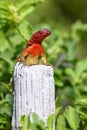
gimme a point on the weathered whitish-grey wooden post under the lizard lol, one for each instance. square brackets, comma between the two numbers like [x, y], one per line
[33, 92]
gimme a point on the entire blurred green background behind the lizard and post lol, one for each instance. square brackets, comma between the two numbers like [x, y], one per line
[65, 49]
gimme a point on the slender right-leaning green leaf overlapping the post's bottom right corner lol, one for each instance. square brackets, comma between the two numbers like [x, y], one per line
[52, 117]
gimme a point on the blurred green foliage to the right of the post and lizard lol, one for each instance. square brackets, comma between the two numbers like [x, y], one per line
[70, 76]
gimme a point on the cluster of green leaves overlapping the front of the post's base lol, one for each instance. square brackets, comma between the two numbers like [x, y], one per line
[33, 122]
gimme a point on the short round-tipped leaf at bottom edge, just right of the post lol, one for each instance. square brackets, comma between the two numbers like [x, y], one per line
[61, 125]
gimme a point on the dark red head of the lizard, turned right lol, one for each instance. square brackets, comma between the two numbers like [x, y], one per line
[39, 36]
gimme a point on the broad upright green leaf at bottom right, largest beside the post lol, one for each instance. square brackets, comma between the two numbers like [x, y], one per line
[72, 117]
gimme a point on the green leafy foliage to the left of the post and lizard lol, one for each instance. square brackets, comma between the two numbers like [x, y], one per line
[14, 31]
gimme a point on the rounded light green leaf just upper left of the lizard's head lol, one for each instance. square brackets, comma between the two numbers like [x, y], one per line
[25, 29]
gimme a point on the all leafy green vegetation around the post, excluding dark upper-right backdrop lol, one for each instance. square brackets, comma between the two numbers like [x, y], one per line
[63, 51]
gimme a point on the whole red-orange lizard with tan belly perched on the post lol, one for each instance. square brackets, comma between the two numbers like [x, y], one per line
[30, 55]
